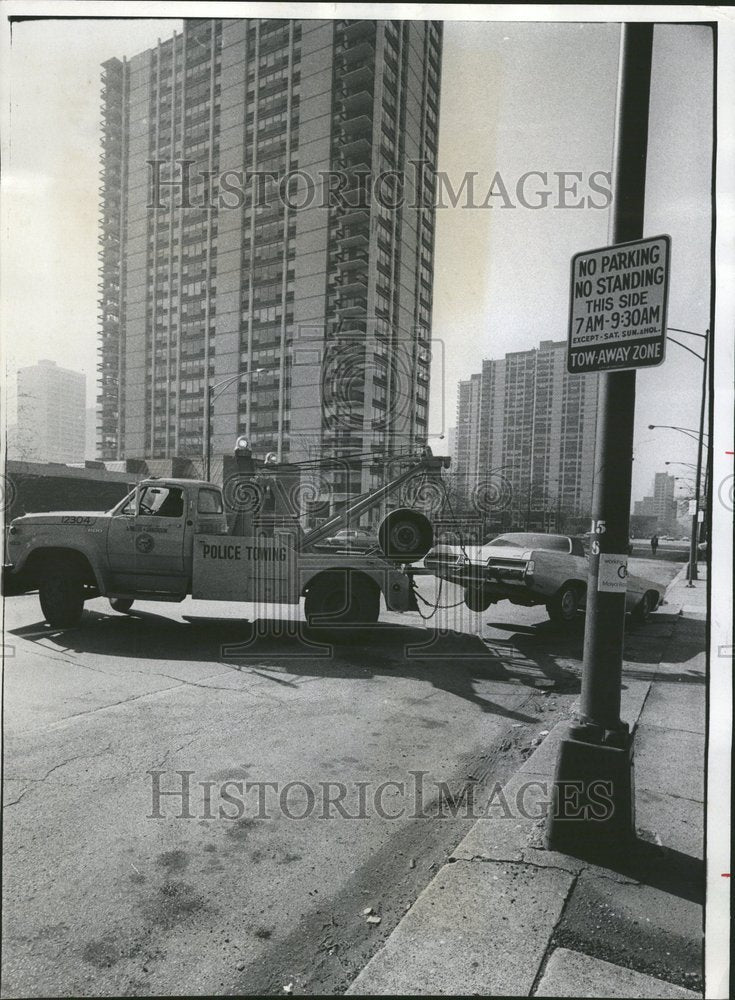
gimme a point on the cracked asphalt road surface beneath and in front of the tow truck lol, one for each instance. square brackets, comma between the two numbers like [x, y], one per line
[108, 890]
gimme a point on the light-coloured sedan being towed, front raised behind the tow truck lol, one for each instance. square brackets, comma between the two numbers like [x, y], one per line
[531, 568]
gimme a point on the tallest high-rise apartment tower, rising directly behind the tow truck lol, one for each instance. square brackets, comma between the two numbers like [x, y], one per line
[268, 210]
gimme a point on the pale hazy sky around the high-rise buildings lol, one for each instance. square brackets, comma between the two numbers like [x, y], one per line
[515, 98]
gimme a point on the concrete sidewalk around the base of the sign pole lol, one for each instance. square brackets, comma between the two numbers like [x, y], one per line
[506, 917]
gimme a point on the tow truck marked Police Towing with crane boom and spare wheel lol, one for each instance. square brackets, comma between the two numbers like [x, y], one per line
[170, 538]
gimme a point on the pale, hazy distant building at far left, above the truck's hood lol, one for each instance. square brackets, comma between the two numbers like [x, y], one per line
[51, 414]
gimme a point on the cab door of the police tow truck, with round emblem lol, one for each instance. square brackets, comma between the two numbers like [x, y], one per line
[145, 543]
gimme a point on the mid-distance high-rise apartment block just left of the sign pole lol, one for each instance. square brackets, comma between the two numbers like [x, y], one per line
[528, 427]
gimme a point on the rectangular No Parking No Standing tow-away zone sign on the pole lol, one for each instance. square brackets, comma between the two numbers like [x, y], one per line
[618, 301]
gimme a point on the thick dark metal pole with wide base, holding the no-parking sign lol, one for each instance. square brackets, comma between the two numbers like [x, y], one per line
[598, 749]
